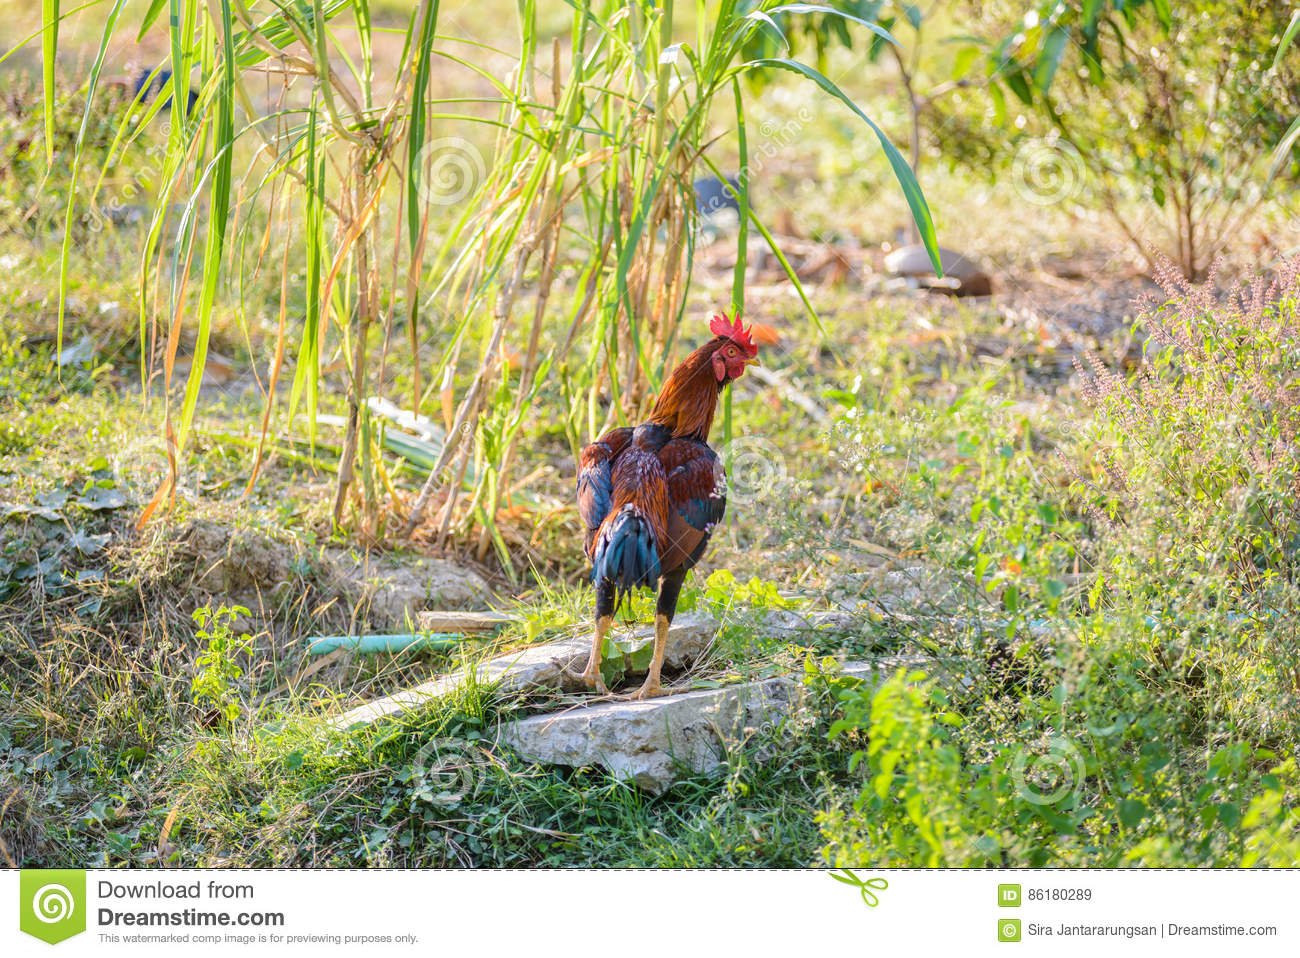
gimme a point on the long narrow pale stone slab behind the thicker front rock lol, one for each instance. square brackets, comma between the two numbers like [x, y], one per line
[552, 666]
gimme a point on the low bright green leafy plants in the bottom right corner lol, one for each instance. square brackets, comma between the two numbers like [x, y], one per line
[948, 786]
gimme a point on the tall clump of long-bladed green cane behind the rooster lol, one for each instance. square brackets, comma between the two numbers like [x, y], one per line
[564, 267]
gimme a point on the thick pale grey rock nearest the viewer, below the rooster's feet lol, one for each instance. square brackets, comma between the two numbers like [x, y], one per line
[652, 743]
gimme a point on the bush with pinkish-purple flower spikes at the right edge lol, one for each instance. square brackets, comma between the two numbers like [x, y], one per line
[1201, 445]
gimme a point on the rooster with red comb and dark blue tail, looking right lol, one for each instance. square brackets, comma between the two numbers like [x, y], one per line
[651, 496]
